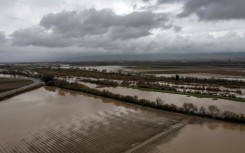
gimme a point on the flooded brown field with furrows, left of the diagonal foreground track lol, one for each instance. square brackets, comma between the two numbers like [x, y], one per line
[55, 120]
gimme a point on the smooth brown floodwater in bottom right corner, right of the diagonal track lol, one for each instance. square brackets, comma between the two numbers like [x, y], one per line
[204, 137]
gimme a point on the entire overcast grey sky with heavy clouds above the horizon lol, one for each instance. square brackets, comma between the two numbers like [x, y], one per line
[39, 30]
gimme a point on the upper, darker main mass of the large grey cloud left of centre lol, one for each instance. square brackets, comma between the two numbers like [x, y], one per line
[93, 22]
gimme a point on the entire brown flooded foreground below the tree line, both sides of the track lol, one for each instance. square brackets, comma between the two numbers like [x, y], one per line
[54, 120]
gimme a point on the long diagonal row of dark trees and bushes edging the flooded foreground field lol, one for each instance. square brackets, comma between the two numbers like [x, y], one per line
[187, 108]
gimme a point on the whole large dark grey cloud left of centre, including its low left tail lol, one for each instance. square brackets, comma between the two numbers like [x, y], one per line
[75, 28]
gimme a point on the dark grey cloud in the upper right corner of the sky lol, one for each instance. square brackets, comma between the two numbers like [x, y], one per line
[212, 9]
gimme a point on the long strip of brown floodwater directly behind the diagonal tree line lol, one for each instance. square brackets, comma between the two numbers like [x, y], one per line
[179, 100]
